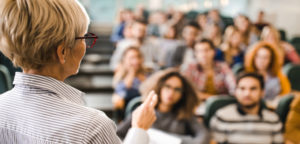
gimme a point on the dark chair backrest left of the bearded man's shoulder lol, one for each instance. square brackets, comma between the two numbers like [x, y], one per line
[213, 104]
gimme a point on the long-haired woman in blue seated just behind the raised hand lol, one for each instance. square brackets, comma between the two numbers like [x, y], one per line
[128, 77]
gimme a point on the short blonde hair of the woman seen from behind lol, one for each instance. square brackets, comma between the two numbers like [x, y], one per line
[31, 30]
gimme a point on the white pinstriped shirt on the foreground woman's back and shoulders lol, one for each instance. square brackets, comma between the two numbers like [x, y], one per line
[43, 110]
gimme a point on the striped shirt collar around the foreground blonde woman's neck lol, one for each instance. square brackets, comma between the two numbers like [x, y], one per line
[64, 91]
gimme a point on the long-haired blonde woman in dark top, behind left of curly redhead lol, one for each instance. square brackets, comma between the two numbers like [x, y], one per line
[231, 50]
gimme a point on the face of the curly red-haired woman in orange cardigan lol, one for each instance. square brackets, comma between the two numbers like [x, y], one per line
[263, 59]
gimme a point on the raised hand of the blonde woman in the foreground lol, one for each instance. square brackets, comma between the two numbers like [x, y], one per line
[144, 116]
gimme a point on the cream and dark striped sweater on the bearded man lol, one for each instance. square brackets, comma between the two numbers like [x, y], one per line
[230, 125]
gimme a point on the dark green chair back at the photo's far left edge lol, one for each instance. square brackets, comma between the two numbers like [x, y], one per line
[5, 79]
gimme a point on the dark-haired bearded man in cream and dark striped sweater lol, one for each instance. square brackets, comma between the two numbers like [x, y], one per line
[248, 121]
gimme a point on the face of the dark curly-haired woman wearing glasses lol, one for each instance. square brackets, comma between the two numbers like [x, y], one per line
[171, 91]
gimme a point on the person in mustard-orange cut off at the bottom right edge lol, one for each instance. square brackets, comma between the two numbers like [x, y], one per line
[292, 125]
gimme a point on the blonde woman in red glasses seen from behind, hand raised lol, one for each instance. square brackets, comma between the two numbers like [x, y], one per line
[47, 41]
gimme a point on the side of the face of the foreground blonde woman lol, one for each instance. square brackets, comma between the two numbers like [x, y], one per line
[74, 57]
